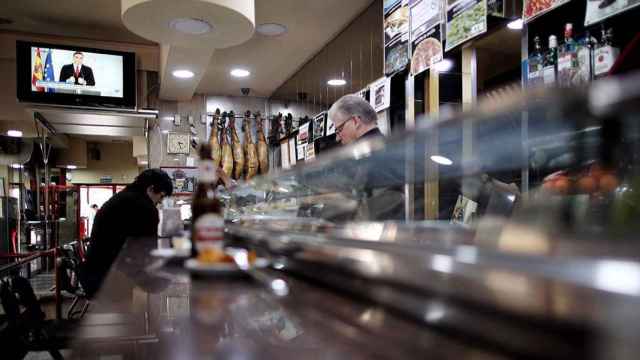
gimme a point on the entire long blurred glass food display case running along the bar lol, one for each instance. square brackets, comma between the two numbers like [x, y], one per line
[514, 226]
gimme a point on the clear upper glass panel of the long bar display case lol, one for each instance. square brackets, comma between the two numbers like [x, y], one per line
[563, 163]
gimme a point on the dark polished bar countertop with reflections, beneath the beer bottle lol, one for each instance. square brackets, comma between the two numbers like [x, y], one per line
[155, 309]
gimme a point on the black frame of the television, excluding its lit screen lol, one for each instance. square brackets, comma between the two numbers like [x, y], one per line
[24, 74]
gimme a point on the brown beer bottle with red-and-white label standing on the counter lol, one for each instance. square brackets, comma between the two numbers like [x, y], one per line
[207, 220]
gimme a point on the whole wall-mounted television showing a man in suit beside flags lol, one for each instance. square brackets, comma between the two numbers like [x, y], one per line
[75, 76]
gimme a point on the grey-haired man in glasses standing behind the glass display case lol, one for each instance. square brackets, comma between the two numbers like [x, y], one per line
[377, 183]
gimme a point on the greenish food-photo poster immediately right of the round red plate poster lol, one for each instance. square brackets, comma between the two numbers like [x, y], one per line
[466, 19]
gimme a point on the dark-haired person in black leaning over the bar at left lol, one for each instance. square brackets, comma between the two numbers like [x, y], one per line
[130, 213]
